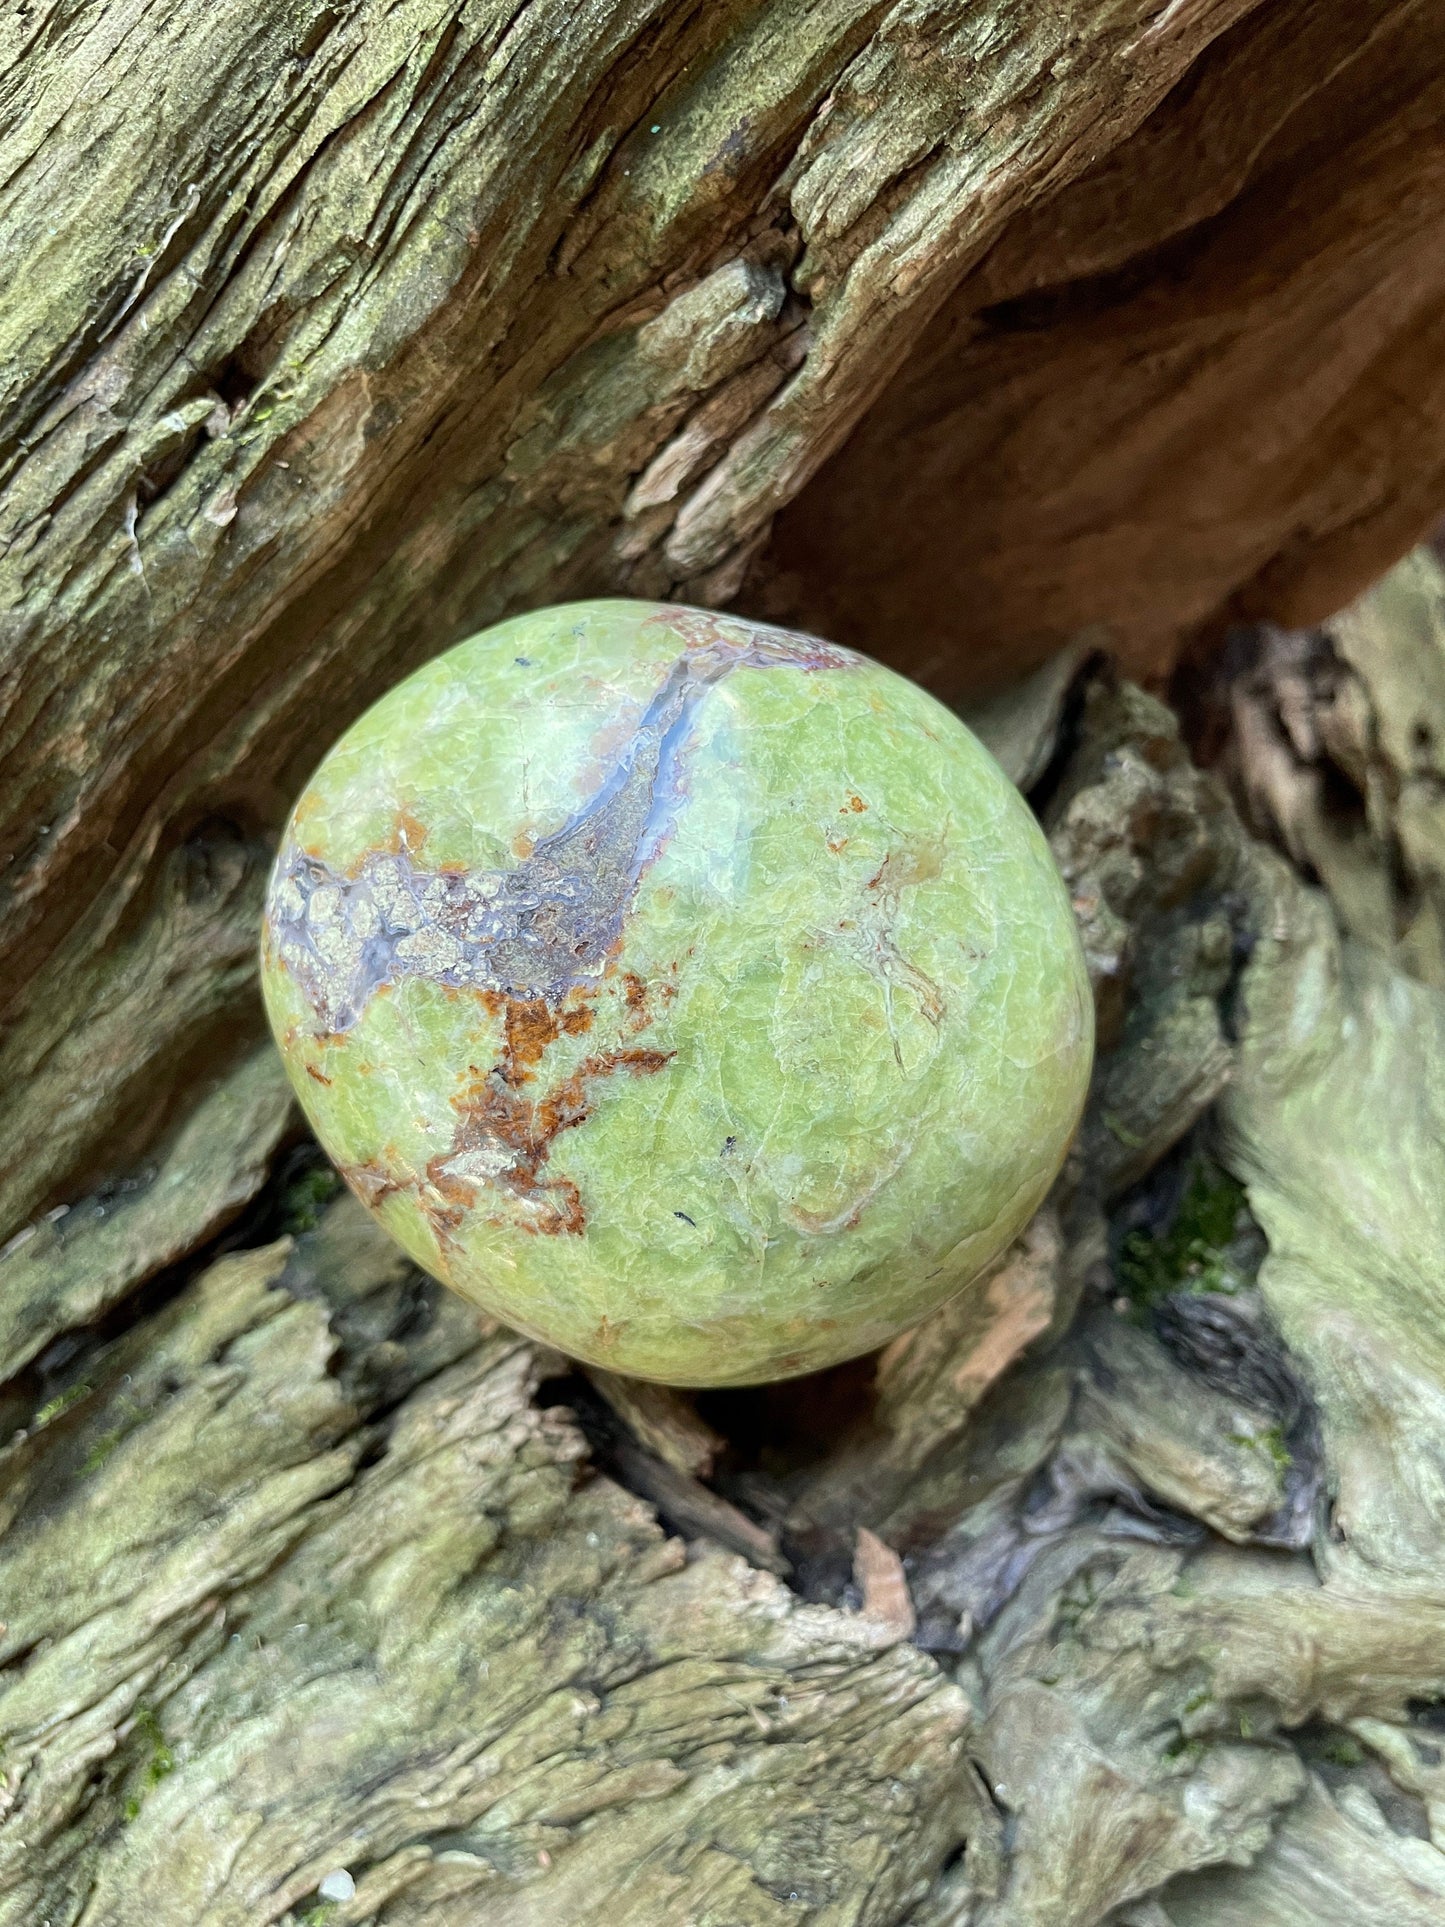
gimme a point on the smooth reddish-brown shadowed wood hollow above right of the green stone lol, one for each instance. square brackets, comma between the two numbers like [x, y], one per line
[1192, 384]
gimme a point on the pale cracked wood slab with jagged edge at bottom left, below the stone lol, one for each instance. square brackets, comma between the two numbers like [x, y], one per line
[325, 1595]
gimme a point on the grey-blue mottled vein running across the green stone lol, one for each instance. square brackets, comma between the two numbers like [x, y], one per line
[535, 932]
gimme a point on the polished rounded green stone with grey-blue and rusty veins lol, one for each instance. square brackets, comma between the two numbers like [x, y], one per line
[693, 995]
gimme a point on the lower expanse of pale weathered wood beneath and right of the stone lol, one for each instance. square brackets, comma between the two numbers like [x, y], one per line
[1113, 1595]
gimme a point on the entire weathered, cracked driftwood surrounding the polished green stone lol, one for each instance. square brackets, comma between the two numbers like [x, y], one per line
[989, 340]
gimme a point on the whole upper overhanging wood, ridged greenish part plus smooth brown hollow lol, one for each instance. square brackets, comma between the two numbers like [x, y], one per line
[336, 330]
